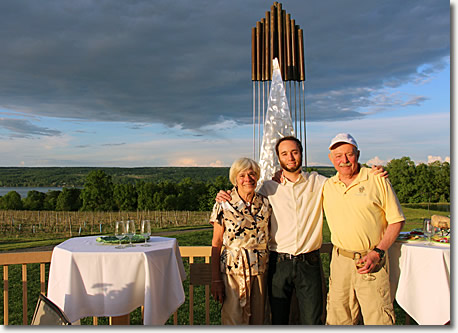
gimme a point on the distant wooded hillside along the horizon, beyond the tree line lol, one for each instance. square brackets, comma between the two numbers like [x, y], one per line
[75, 176]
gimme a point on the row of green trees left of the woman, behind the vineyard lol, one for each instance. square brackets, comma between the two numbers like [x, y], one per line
[101, 194]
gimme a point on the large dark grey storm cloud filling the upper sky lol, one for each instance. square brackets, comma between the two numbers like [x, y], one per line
[187, 63]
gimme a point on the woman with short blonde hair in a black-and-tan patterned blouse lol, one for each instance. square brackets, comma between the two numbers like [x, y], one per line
[239, 272]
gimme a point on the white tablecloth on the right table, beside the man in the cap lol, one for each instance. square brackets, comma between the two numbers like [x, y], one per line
[420, 280]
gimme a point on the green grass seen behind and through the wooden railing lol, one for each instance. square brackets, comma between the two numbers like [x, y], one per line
[414, 219]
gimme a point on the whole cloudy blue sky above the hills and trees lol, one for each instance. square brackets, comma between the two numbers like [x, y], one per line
[168, 83]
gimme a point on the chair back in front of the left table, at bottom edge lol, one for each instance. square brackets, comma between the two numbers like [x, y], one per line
[48, 313]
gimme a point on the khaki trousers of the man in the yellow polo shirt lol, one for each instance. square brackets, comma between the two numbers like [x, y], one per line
[351, 296]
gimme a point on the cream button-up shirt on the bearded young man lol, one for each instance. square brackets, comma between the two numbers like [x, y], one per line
[297, 217]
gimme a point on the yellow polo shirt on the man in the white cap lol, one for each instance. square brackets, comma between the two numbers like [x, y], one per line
[358, 215]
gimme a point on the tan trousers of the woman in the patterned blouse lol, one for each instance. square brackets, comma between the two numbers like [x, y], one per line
[232, 313]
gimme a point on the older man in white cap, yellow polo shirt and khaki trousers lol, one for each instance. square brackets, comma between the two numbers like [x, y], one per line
[364, 217]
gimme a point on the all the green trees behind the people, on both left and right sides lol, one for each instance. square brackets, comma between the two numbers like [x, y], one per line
[413, 184]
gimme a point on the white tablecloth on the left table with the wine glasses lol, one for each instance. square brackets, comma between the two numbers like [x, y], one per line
[87, 278]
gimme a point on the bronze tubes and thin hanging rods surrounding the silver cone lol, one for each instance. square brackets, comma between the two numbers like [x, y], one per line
[277, 36]
